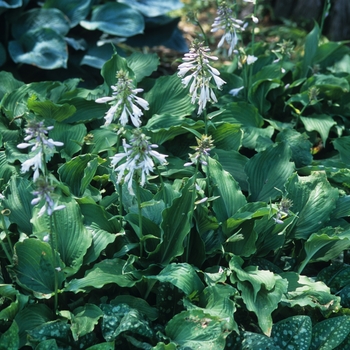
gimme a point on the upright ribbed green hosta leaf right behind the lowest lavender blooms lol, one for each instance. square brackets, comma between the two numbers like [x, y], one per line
[73, 238]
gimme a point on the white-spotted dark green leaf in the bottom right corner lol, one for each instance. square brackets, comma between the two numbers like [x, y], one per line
[328, 334]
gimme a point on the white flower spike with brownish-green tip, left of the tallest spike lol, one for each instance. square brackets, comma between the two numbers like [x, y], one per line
[124, 102]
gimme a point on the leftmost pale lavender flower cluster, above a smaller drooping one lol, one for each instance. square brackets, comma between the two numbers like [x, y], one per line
[42, 148]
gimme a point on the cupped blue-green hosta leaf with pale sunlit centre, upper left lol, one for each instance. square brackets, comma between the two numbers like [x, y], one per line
[42, 47]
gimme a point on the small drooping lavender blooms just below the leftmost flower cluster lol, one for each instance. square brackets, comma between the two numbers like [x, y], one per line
[44, 192]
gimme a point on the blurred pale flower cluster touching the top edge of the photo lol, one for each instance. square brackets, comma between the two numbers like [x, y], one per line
[231, 26]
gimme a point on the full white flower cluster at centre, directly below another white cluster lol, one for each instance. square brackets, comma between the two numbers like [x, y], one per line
[139, 158]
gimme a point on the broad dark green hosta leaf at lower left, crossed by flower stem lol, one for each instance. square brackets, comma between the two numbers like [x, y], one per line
[34, 267]
